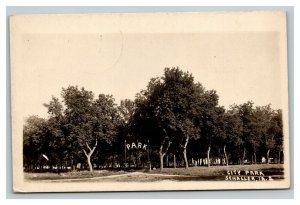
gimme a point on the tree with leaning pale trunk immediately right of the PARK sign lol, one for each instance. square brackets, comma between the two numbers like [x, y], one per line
[152, 118]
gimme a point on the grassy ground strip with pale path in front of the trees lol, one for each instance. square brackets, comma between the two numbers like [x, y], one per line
[214, 173]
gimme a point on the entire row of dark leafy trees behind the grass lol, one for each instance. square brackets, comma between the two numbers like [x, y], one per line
[181, 122]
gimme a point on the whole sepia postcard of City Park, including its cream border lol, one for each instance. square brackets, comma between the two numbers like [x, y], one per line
[149, 101]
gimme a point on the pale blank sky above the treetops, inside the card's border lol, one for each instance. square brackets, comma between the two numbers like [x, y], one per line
[239, 66]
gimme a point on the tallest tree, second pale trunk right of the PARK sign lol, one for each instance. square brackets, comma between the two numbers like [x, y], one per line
[183, 98]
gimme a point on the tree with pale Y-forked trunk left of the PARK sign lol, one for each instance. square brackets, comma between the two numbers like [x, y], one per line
[89, 120]
